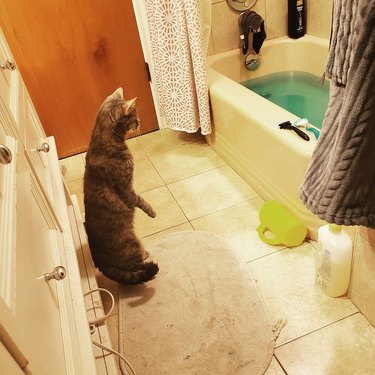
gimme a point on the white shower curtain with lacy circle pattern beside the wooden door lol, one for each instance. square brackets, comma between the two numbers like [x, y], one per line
[179, 58]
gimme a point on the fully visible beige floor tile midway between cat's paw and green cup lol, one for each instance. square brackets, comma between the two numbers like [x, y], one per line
[211, 191]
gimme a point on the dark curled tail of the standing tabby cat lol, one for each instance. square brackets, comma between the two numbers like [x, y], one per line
[136, 273]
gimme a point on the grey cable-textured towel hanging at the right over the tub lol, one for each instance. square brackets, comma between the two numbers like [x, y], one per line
[339, 185]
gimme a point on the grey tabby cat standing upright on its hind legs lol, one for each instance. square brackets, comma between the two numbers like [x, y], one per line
[109, 197]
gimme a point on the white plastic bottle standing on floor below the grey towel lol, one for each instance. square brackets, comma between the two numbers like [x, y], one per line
[333, 260]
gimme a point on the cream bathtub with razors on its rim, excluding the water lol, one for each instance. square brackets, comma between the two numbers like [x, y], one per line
[245, 132]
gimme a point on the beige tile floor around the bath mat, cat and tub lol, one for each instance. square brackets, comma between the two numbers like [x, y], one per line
[192, 188]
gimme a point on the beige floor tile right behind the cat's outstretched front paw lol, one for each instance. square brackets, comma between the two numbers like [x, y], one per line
[168, 213]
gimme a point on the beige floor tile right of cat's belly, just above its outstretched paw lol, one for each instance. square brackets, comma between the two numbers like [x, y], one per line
[145, 176]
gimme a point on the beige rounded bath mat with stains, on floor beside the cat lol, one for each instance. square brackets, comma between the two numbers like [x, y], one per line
[201, 314]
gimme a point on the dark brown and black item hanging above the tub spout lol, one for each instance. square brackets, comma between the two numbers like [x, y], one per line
[251, 22]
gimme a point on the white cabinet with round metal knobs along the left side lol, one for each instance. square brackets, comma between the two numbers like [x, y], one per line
[43, 323]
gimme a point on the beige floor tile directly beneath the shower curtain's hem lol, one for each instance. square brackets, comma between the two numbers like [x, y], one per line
[166, 140]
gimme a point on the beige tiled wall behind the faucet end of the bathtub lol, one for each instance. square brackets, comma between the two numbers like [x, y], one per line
[225, 31]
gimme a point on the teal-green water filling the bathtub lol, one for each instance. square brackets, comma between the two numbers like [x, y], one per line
[298, 92]
